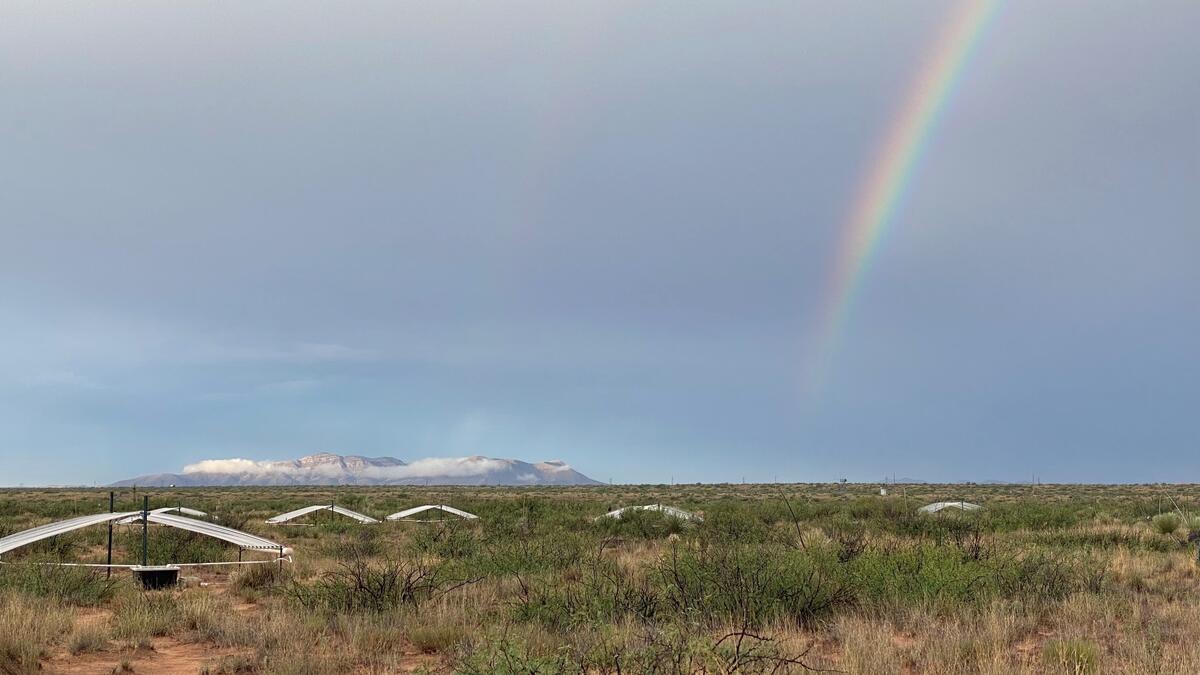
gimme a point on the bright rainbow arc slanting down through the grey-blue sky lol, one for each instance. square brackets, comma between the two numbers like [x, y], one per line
[884, 186]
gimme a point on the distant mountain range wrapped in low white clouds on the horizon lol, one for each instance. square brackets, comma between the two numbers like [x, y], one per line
[327, 469]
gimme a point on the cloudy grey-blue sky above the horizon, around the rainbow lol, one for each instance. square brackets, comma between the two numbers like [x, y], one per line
[598, 232]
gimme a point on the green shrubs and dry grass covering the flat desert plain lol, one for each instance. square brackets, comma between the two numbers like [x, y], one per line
[776, 580]
